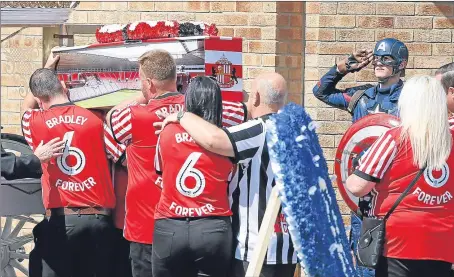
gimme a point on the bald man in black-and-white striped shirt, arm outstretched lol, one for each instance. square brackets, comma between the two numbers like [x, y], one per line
[252, 183]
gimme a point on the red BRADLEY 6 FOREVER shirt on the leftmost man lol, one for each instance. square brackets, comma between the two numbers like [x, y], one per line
[80, 177]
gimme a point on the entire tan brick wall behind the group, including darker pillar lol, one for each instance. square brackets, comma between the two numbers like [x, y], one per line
[299, 40]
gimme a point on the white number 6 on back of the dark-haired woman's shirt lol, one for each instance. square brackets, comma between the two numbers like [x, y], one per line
[188, 170]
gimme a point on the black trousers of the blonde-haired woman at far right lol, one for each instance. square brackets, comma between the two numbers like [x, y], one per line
[390, 267]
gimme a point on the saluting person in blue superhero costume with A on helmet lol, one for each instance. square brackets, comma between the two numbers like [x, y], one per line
[389, 59]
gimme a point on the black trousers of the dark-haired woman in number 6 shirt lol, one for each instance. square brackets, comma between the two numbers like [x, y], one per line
[192, 247]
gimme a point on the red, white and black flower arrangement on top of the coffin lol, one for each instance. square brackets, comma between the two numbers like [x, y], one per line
[143, 30]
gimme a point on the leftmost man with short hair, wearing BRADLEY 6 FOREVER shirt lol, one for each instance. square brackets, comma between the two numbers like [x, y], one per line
[74, 239]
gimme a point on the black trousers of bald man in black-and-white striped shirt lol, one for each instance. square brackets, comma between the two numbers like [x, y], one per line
[239, 269]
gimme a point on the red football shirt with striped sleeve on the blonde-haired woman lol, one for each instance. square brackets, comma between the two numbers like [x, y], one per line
[422, 226]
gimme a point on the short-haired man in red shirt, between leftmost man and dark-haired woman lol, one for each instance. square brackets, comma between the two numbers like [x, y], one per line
[131, 125]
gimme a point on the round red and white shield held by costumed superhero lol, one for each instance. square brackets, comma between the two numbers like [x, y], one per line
[358, 138]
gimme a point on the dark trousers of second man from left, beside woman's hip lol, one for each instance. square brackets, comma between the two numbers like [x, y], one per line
[140, 254]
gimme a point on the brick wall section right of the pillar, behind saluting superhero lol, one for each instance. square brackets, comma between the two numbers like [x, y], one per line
[335, 29]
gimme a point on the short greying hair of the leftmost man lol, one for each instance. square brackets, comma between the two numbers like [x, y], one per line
[44, 84]
